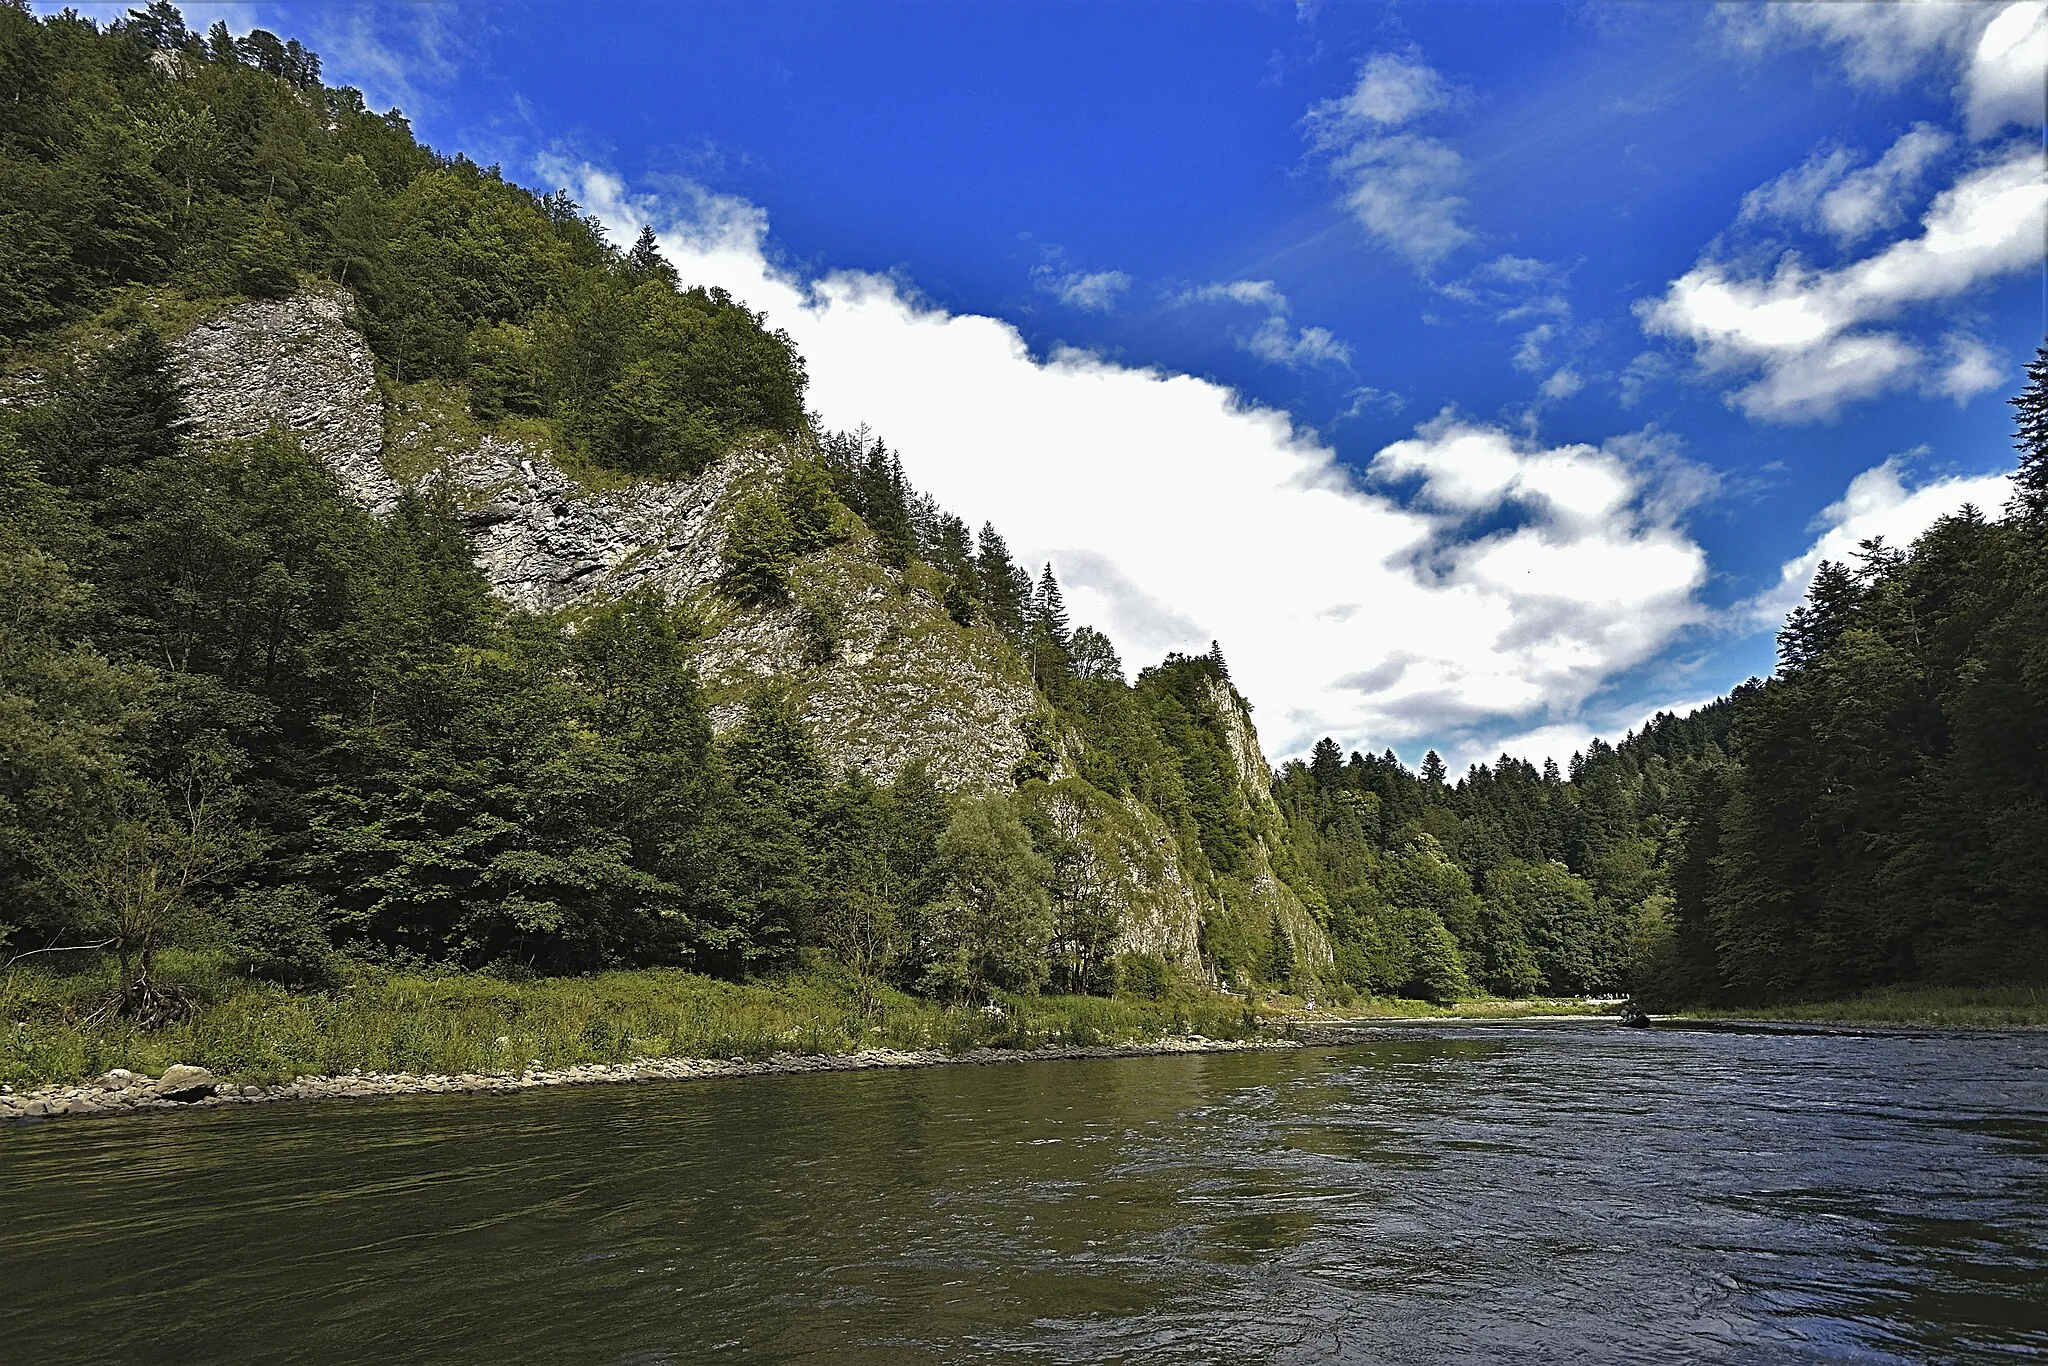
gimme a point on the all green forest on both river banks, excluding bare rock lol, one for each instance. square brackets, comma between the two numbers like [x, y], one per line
[245, 714]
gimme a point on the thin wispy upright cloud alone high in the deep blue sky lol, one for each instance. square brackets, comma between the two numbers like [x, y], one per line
[1398, 183]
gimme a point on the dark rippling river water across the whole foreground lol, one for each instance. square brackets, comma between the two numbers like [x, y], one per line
[1424, 1195]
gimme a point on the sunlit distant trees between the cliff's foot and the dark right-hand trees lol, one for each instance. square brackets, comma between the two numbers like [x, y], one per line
[1514, 880]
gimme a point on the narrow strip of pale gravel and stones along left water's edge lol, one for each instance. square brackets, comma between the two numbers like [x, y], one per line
[194, 1088]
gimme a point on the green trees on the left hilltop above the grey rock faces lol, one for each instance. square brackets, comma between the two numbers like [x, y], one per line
[144, 155]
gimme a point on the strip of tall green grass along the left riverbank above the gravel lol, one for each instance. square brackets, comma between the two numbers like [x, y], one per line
[454, 1023]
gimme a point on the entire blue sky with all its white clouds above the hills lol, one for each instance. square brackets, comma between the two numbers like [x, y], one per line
[1478, 374]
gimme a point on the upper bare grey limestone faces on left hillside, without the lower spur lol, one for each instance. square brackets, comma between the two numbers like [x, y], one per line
[906, 681]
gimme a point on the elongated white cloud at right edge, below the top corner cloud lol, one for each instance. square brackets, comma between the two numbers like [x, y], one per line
[1811, 333]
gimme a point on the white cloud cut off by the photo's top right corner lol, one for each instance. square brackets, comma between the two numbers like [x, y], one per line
[1992, 54]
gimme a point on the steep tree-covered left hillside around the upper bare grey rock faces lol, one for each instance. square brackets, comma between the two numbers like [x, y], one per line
[245, 714]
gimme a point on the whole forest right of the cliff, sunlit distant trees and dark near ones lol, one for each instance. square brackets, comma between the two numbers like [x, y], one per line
[1875, 814]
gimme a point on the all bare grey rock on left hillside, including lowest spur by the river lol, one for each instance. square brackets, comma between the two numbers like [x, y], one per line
[902, 679]
